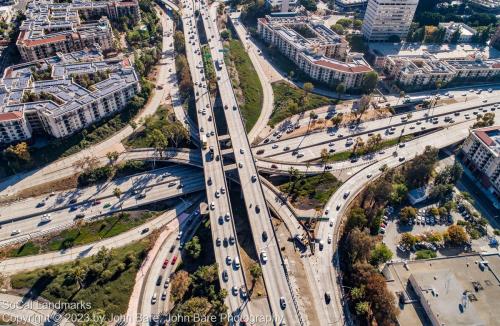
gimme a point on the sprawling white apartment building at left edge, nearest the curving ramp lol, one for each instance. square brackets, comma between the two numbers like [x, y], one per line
[59, 106]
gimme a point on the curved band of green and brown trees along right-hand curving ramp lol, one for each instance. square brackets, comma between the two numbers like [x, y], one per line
[361, 251]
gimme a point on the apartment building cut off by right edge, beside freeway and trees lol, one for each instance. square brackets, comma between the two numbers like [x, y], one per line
[481, 154]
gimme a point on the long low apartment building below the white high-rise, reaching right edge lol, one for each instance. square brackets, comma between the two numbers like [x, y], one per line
[421, 70]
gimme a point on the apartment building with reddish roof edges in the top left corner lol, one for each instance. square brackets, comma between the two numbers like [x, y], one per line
[52, 27]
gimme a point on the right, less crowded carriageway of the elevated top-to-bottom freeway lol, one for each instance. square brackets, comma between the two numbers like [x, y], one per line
[282, 300]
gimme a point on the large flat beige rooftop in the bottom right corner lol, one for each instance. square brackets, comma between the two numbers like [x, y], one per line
[459, 290]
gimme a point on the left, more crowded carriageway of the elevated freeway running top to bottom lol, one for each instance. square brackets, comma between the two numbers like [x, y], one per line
[221, 217]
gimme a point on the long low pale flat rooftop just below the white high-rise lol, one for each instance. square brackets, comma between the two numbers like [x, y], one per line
[441, 51]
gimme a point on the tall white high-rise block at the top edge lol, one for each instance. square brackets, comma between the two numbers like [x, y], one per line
[386, 18]
